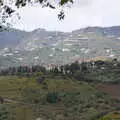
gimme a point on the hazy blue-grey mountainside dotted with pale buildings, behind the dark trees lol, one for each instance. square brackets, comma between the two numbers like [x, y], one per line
[41, 46]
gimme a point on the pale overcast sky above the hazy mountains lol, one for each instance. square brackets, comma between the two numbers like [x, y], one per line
[83, 13]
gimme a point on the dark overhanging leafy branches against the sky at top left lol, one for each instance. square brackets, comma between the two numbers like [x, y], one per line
[7, 7]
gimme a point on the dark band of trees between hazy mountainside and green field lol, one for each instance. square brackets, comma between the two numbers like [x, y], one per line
[92, 71]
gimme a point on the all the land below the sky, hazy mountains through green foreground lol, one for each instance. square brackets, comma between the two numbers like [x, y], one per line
[52, 75]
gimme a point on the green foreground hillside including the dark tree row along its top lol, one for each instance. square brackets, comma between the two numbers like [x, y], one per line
[74, 91]
